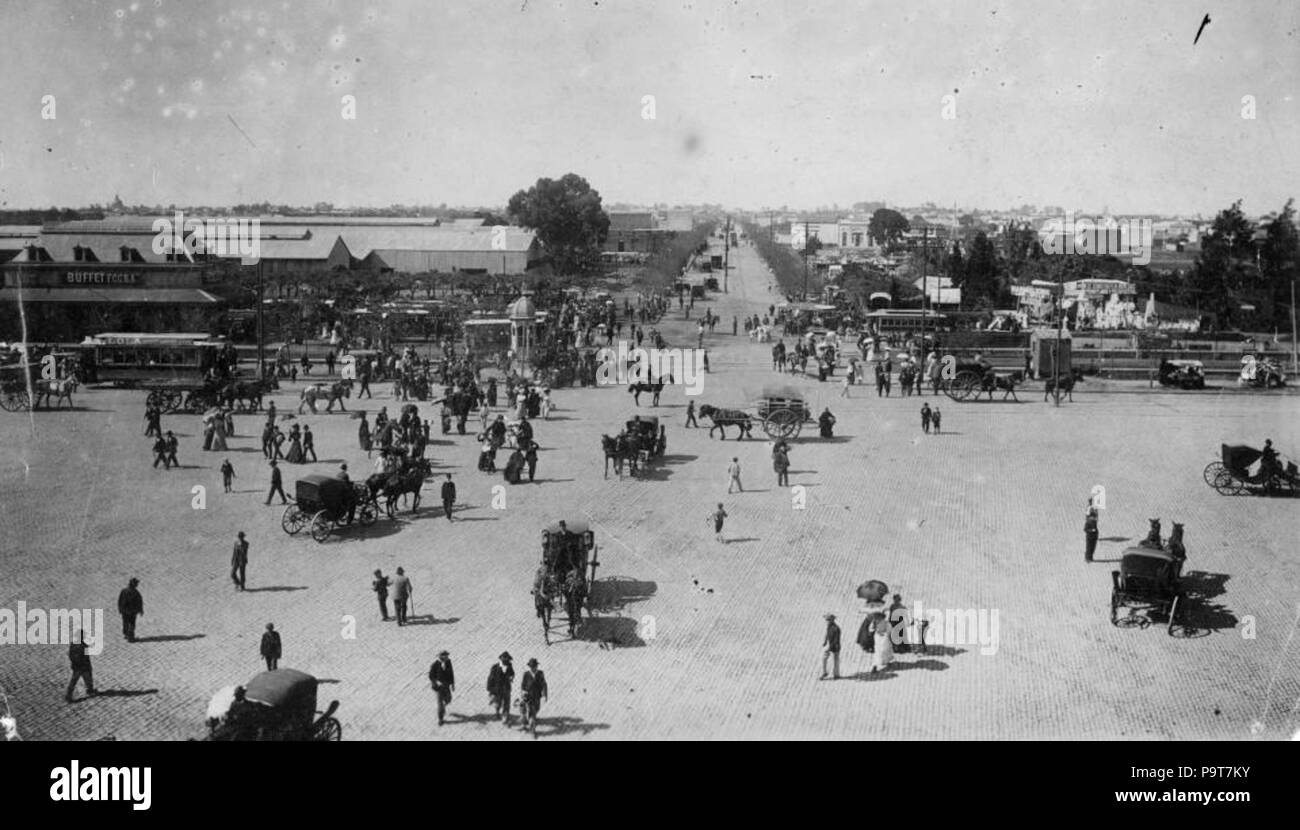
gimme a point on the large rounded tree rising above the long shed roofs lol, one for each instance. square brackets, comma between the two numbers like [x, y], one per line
[569, 221]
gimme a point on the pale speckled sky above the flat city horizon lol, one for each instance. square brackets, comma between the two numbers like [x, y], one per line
[756, 105]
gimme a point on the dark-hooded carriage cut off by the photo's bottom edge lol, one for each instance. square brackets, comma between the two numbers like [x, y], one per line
[275, 706]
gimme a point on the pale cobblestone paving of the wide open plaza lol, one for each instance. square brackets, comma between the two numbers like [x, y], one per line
[692, 638]
